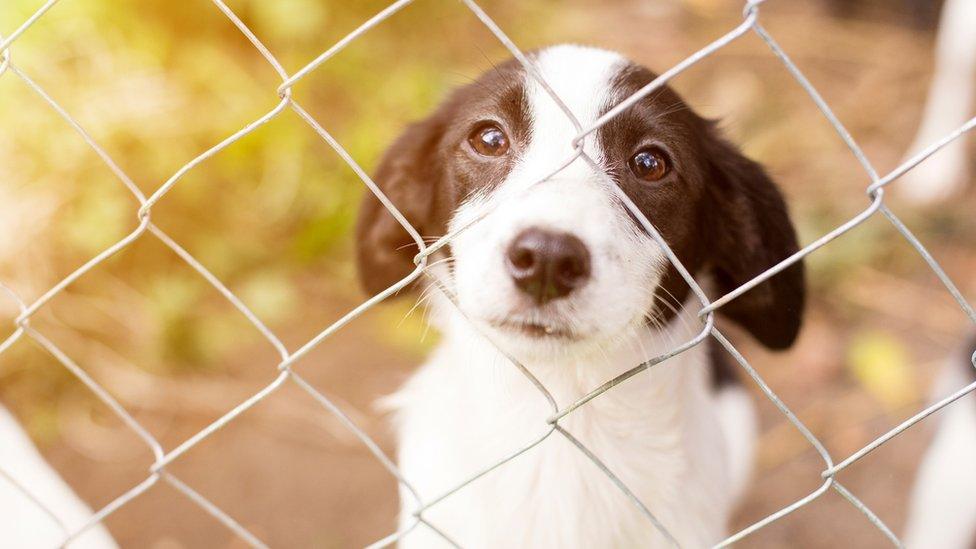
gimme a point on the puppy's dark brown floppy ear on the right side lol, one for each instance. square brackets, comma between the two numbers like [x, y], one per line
[749, 231]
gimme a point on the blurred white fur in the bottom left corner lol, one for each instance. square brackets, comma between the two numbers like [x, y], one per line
[22, 524]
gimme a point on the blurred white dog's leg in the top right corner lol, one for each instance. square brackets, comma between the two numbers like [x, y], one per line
[949, 104]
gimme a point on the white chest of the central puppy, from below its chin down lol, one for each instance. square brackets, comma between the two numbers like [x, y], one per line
[468, 407]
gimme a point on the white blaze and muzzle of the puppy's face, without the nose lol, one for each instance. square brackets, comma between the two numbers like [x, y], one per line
[625, 263]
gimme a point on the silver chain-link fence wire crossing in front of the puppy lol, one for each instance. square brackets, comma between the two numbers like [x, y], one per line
[285, 374]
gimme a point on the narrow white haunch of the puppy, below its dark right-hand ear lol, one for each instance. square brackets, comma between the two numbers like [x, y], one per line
[737, 417]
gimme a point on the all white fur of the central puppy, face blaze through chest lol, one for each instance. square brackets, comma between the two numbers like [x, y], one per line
[468, 406]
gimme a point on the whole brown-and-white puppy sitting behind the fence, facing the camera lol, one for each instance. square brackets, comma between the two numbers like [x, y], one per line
[560, 277]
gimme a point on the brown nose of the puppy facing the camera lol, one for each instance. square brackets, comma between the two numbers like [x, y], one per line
[547, 265]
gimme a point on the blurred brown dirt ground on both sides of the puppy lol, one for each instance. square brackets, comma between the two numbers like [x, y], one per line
[291, 474]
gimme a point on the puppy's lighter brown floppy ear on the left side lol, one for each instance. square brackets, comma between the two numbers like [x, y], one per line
[410, 175]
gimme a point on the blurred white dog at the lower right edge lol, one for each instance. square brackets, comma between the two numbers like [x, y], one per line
[942, 513]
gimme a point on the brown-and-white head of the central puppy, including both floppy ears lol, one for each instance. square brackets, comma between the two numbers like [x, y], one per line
[561, 263]
